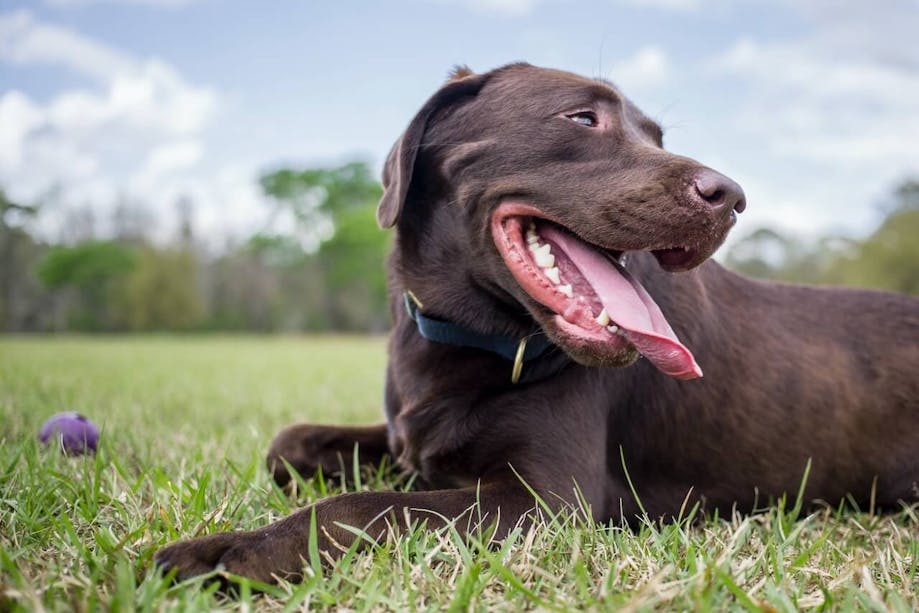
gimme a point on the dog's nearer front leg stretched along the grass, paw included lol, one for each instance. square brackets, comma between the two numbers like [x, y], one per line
[282, 548]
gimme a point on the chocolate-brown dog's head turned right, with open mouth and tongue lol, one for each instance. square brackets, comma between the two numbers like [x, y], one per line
[530, 185]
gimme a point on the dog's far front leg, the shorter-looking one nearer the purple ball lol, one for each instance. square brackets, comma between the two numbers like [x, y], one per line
[309, 448]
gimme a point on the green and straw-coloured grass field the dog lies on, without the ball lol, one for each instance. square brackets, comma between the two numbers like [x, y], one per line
[186, 422]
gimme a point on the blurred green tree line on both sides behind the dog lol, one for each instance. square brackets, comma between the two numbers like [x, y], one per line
[324, 271]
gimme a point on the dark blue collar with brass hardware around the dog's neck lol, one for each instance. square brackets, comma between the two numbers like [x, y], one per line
[520, 351]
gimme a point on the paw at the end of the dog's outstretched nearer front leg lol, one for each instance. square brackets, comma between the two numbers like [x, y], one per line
[245, 554]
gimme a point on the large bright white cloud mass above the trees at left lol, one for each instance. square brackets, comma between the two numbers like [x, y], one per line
[135, 131]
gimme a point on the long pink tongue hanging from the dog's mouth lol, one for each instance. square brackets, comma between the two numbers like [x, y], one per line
[630, 307]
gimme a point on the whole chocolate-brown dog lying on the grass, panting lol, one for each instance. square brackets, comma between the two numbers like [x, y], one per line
[516, 195]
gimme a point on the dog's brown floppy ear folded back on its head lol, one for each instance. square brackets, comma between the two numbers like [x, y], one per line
[397, 172]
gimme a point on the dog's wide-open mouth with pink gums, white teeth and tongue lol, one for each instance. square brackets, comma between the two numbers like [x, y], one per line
[598, 305]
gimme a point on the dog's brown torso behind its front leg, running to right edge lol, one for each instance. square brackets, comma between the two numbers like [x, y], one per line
[793, 375]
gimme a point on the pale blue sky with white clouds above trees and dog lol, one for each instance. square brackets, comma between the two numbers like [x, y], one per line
[811, 105]
